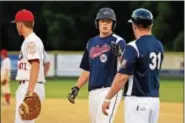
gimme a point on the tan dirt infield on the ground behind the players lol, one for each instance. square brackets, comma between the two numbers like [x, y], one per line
[60, 111]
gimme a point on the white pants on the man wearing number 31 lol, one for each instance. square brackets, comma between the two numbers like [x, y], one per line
[141, 109]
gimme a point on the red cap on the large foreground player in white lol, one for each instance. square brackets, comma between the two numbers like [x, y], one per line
[23, 15]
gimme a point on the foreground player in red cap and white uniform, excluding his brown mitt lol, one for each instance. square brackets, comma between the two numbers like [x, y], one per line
[30, 70]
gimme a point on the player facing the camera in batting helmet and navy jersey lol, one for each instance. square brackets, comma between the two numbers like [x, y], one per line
[100, 64]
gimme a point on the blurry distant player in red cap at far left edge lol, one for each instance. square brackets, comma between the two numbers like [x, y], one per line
[5, 76]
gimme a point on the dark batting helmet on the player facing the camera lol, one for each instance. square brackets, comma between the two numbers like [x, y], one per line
[106, 13]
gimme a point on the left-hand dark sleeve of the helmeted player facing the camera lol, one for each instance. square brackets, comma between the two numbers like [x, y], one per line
[85, 61]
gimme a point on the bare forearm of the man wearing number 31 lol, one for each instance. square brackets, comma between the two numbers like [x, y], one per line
[118, 83]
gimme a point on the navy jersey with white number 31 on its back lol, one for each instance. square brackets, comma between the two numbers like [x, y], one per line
[142, 60]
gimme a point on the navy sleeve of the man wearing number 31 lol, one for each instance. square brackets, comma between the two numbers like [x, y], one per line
[129, 60]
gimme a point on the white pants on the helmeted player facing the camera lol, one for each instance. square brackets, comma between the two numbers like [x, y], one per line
[96, 98]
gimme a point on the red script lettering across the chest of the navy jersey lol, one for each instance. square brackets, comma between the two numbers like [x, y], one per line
[97, 50]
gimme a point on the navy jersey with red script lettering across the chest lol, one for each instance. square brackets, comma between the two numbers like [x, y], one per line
[100, 60]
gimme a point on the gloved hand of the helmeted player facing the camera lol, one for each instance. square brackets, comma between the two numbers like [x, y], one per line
[73, 94]
